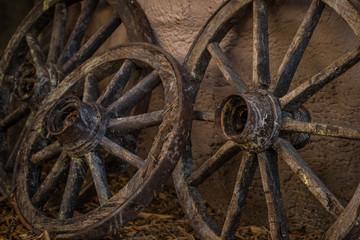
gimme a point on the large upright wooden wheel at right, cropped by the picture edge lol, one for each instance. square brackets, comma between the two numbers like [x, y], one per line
[263, 122]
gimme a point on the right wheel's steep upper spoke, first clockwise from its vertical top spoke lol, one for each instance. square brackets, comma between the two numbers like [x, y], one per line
[285, 74]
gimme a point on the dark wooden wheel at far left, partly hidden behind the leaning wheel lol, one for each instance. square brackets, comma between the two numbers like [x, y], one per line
[52, 41]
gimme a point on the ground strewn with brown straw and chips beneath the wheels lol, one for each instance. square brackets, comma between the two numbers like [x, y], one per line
[163, 219]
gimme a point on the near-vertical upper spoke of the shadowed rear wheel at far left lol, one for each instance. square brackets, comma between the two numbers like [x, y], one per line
[57, 34]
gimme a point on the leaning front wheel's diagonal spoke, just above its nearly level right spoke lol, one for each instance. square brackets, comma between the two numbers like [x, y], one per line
[135, 95]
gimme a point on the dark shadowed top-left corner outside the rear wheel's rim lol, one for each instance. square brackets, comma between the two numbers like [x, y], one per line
[12, 13]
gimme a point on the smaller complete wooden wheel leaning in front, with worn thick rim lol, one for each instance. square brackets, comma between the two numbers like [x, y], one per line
[78, 134]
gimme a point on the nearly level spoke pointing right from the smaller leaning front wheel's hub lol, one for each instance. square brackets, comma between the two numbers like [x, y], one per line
[137, 122]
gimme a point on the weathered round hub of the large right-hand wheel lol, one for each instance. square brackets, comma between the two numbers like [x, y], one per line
[252, 120]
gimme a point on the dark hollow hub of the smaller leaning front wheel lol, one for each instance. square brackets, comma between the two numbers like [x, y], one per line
[78, 126]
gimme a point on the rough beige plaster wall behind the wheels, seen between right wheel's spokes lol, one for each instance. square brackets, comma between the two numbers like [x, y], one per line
[335, 161]
